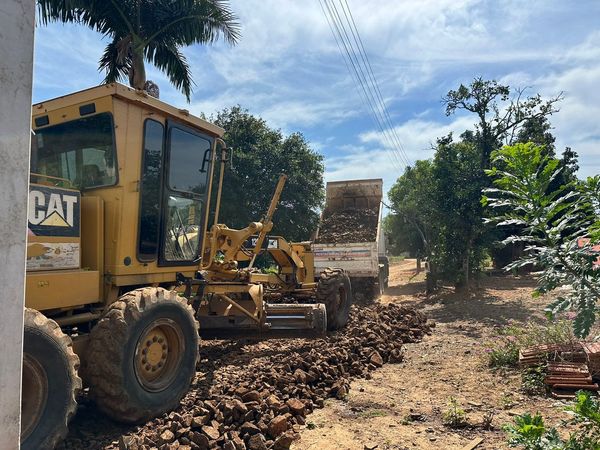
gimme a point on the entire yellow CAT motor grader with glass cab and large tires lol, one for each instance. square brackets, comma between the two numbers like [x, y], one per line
[123, 271]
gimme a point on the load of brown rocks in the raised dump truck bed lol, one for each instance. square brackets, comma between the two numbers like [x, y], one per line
[349, 225]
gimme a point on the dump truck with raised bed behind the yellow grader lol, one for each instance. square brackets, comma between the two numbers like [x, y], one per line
[350, 234]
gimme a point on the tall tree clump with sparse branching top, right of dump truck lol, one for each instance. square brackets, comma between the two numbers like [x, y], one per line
[445, 210]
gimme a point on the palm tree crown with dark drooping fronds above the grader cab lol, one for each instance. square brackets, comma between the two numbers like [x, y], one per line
[148, 30]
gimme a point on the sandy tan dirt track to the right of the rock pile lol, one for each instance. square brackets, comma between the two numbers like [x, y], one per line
[402, 406]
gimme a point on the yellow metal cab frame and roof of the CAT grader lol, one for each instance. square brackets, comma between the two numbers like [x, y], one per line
[110, 215]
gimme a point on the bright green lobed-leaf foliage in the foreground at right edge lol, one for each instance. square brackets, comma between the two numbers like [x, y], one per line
[550, 225]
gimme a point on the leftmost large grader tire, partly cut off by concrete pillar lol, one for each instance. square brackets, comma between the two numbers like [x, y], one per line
[50, 383]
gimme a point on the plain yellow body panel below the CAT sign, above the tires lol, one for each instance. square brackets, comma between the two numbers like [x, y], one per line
[61, 289]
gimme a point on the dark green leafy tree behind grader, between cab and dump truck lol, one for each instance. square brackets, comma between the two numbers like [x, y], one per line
[260, 155]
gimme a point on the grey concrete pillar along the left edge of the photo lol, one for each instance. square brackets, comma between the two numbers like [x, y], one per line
[16, 68]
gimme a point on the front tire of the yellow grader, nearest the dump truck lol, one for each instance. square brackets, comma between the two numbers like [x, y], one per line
[335, 291]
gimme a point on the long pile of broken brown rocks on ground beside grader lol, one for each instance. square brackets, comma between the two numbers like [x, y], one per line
[256, 395]
